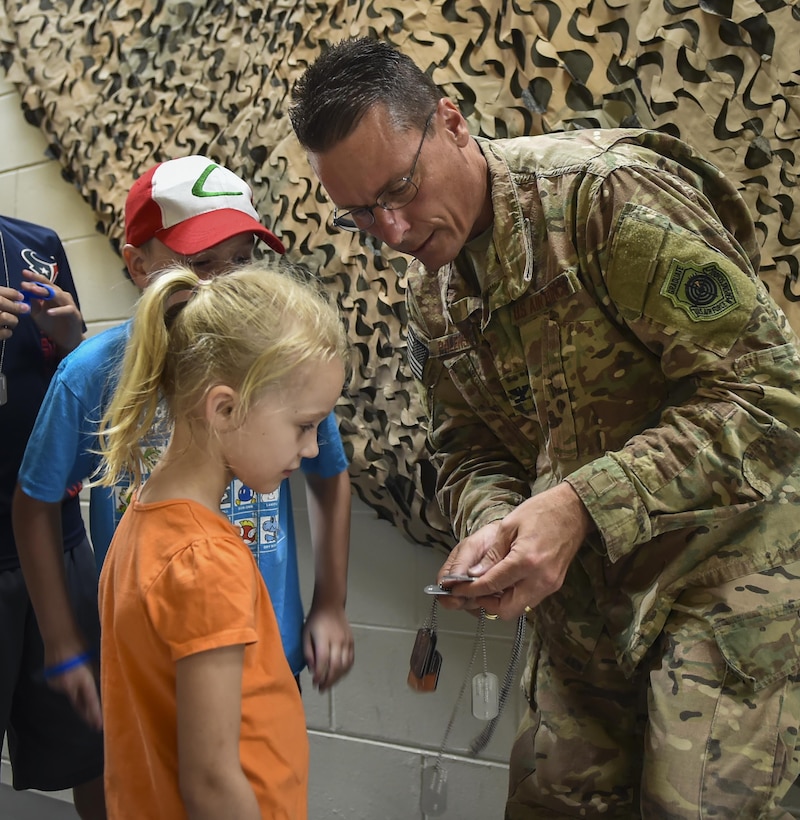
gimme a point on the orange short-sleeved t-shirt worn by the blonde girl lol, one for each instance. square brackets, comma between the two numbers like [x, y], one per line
[178, 580]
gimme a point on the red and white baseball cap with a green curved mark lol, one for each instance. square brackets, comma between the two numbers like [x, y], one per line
[191, 204]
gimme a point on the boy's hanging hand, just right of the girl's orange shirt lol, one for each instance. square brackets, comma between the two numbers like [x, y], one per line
[327, 645]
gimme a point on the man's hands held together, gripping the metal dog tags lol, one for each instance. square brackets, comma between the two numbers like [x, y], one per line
[521, 559]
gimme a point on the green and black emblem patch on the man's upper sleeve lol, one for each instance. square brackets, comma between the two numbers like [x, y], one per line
[703, 292]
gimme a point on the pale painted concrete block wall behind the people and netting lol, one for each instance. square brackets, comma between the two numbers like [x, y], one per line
[371, 737]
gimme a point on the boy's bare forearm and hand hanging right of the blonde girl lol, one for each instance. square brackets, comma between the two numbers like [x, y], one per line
[327, 637]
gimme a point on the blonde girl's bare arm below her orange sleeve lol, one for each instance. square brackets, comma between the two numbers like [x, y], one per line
[209, 699]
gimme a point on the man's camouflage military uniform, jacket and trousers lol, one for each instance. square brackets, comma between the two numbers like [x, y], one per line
[611, 332]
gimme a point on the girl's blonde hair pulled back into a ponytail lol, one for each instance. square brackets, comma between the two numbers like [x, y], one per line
[249, 329]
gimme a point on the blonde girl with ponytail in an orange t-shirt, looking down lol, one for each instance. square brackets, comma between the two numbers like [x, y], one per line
[202, 715]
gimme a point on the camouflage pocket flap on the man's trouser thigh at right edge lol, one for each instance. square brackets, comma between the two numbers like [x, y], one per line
[763, 647]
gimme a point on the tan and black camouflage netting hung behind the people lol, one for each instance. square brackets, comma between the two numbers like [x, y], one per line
[116, 86]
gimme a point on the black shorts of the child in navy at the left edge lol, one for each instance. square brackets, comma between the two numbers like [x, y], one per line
[50, 747]
